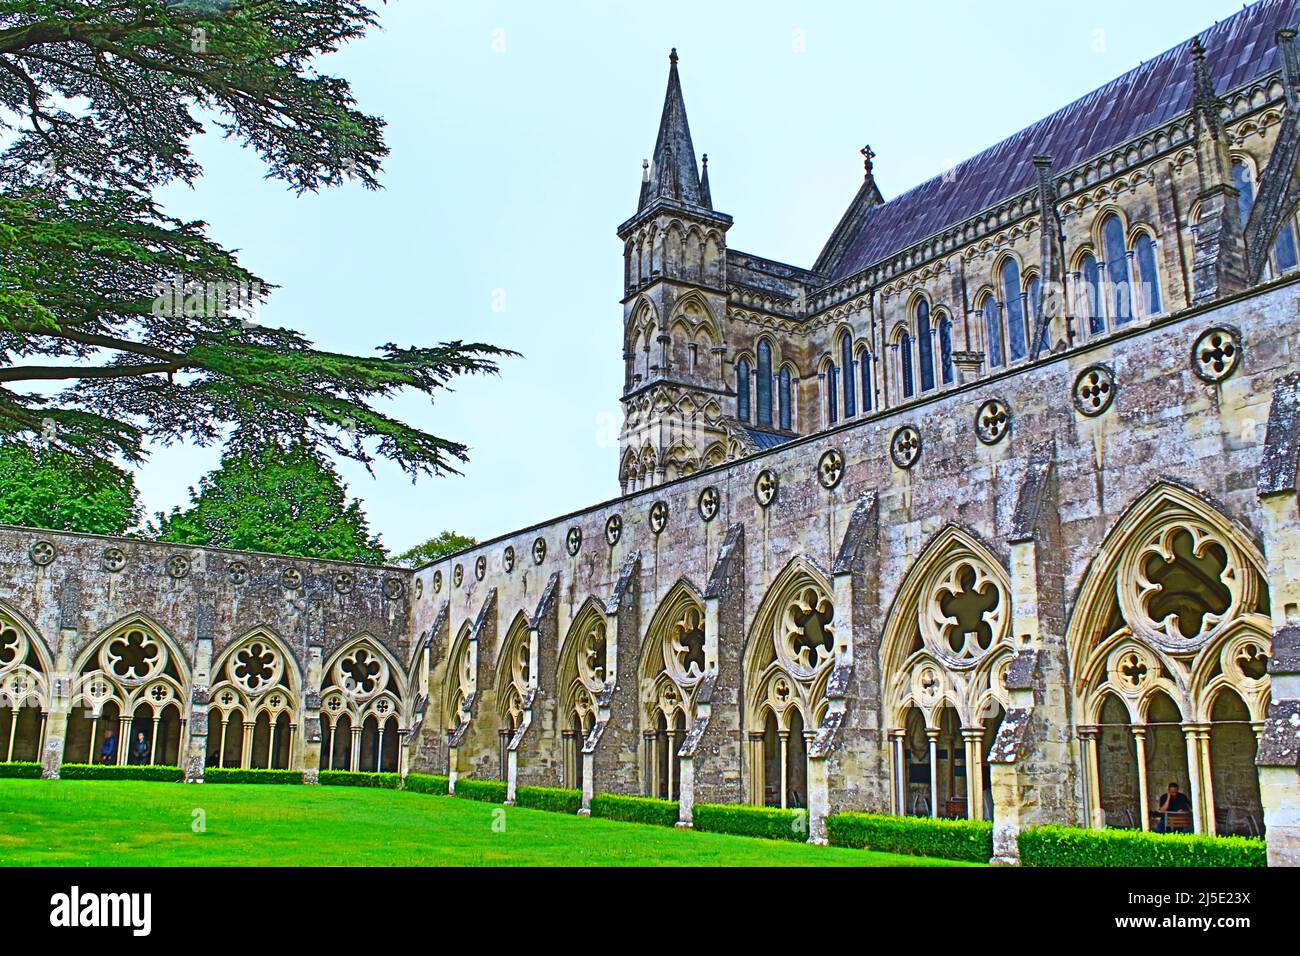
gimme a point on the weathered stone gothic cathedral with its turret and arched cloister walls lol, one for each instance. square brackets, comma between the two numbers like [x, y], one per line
[989, 513]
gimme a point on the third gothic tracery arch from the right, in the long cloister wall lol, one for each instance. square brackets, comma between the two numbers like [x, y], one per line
[790, 655]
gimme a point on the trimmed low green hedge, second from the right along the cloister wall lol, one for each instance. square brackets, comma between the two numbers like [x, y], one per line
[948, 840]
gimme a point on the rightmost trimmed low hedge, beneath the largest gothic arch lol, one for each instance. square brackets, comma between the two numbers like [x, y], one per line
[1064, 846]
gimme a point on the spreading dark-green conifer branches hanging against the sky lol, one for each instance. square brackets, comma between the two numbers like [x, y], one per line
[148, 323]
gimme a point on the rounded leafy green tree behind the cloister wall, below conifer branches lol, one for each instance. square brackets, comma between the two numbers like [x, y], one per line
[279, 500]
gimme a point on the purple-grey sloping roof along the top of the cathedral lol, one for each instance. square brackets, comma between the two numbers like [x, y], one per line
[1237, 50]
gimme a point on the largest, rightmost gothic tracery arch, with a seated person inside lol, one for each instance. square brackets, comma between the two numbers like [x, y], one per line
[1169, 644]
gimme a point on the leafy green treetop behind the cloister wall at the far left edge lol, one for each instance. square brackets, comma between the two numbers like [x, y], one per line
[47, 488]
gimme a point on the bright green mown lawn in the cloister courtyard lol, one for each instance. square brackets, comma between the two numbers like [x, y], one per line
[136, 824]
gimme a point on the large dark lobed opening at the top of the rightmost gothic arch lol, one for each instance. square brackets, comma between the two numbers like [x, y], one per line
[1185, 585]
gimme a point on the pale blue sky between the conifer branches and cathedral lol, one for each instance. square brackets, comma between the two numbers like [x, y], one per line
[518, 132]
